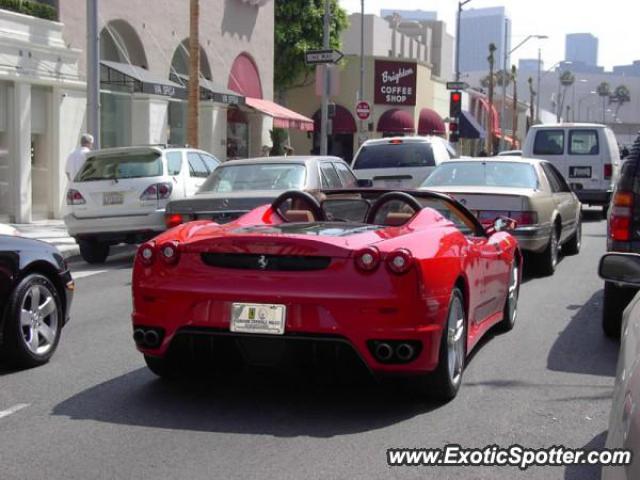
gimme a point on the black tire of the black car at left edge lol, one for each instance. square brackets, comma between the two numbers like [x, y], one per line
[15, 345]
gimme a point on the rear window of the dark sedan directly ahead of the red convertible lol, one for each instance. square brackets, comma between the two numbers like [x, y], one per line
[256, 176]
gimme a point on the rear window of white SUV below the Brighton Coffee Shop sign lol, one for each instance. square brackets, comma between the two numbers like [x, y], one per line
[395, 155]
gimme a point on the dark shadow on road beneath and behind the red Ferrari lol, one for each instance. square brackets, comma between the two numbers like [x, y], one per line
[242, 404]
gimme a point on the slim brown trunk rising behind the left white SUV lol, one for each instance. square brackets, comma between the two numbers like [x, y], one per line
[194, 74]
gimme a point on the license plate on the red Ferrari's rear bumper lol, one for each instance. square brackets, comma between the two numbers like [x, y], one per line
[258, 318]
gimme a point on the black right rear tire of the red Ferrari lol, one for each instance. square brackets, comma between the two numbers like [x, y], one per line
[442, 384]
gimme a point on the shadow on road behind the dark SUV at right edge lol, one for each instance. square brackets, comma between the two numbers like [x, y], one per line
[582, 346]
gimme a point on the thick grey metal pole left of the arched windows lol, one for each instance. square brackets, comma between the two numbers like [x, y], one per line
[93, 72]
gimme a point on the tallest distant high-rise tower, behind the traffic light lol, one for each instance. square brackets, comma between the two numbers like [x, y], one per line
[479, 28]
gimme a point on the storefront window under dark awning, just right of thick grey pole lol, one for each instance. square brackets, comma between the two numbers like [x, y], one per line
[115, 120]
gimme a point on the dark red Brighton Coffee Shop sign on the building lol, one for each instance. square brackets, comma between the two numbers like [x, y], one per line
[395, 83]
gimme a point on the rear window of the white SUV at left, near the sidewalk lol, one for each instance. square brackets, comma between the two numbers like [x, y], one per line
[120, 166]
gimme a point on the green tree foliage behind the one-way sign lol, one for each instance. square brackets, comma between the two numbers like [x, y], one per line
[299, 27]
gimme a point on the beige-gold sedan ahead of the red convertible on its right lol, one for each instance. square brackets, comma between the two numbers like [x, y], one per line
[532, 192]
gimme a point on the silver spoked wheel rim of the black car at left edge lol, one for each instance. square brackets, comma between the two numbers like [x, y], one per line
[39, 320]
